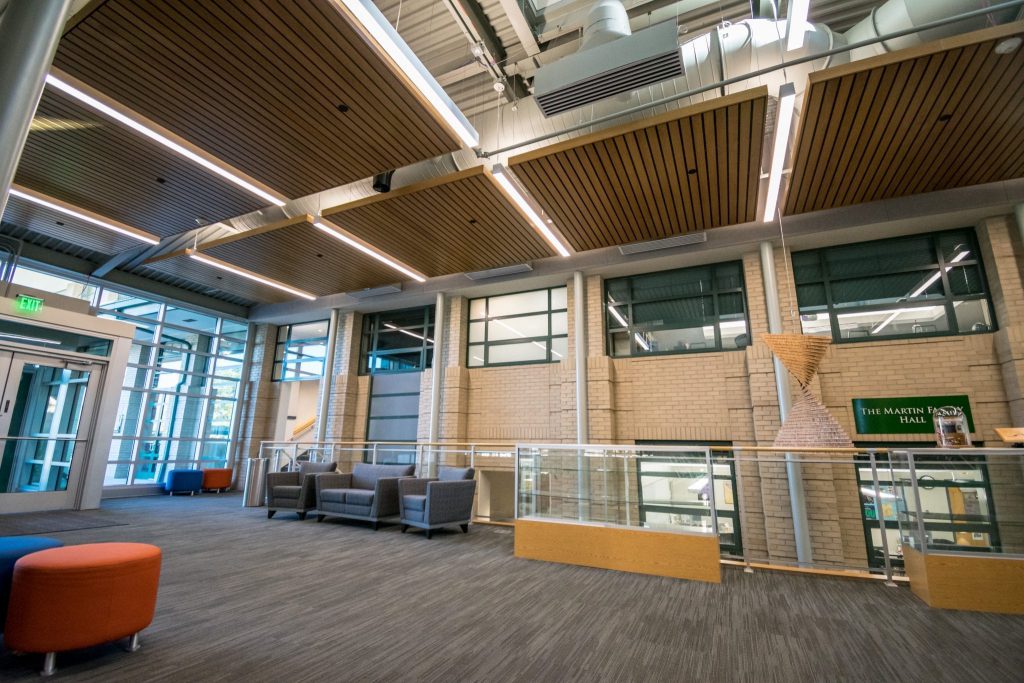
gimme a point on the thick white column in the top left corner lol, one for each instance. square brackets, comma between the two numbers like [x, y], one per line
[29, 35]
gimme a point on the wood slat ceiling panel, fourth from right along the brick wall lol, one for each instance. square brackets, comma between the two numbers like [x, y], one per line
[304, 258]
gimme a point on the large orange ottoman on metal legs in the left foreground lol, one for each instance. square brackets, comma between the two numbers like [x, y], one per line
[79, 596]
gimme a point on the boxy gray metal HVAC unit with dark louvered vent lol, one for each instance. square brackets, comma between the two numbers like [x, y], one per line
[646, 58]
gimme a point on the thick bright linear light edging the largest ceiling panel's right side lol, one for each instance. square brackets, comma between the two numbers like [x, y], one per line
[392, 45]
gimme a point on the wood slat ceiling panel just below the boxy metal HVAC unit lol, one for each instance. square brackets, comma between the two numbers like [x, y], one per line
[692, 169]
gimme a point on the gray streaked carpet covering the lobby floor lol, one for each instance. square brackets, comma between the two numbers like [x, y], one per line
[243, 599]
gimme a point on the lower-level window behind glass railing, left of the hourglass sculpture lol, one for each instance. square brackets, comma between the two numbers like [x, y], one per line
[676, 495]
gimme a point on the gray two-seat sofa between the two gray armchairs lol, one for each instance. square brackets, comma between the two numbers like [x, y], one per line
[370, 493]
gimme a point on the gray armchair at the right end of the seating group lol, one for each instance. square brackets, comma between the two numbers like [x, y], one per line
[431, 504]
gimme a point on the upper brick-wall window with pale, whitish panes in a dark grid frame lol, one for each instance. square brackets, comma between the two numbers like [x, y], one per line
[517, 329]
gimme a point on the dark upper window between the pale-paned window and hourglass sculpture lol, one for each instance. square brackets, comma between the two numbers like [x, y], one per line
[677, 312]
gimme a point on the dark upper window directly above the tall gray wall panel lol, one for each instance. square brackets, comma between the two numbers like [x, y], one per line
[398, 341]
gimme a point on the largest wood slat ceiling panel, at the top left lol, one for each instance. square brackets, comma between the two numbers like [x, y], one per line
[259, 84]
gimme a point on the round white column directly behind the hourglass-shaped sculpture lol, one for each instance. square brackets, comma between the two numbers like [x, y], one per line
[793, 475]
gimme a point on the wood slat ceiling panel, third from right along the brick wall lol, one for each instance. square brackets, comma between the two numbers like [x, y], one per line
[457, 224]
